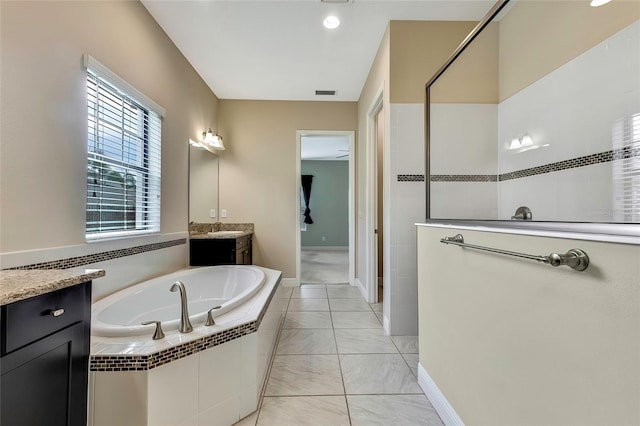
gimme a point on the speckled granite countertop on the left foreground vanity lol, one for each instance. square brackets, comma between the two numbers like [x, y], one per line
[16, 285]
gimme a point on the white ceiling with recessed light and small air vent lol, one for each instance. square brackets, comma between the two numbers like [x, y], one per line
[279, 50]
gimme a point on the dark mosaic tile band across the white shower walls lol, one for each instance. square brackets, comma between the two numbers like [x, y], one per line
[587, 160]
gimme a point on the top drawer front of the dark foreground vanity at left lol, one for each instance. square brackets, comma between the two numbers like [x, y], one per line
[28, 320]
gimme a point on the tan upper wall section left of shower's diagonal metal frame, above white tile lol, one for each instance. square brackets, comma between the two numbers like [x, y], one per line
[418, 49]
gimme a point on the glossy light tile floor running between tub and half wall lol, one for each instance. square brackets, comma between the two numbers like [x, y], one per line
[333, 365]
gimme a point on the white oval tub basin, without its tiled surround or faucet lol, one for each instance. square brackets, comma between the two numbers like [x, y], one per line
[122, 313]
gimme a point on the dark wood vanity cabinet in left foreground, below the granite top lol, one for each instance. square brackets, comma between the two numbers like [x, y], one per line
[44, 358]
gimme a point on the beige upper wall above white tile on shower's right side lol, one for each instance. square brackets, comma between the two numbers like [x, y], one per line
[535, 38]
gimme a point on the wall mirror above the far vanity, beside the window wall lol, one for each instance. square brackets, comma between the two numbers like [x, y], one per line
[203, 185]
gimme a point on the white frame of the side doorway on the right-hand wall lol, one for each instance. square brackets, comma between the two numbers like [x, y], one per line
[372, 199]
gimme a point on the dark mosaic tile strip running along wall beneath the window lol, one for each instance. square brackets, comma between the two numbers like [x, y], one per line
[74, 262]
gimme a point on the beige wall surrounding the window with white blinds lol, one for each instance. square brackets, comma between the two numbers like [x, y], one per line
[44, 112]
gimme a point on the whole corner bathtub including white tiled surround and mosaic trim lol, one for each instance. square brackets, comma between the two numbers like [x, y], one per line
[212, 375]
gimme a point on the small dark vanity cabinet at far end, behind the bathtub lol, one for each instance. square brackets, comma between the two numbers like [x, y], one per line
[220, 251]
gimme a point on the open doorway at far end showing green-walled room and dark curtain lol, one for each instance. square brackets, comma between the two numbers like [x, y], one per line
[326, 242]
